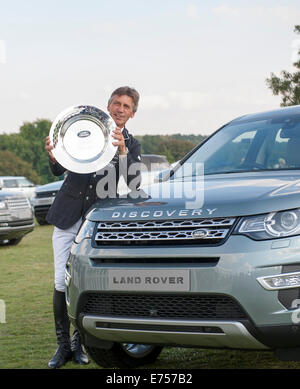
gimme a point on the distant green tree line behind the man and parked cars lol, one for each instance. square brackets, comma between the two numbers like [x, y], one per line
[23, 153]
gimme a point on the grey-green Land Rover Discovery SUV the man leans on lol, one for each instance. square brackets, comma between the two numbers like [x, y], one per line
[208, 258]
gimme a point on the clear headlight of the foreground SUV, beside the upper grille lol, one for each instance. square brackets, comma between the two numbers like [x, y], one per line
[271, 225]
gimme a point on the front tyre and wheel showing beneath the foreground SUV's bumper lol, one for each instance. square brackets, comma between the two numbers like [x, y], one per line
[125, 355]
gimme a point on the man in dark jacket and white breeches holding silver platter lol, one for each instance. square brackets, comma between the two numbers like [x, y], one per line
[79, 192]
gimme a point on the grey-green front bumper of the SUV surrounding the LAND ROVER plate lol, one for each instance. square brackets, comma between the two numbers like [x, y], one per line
[231, 270]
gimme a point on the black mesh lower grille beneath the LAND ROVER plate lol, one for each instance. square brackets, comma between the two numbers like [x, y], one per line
[162, 306]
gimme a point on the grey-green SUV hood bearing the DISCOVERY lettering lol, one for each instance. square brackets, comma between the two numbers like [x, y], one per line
[222, 195]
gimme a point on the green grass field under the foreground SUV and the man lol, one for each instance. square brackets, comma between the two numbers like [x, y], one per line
[27, 339]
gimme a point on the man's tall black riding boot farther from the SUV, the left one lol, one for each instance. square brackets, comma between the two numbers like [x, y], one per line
[63, 353]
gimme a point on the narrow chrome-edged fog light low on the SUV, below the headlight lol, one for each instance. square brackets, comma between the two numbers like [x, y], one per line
[280, 281]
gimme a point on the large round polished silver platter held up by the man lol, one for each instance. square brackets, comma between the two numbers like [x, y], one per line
[81, 137]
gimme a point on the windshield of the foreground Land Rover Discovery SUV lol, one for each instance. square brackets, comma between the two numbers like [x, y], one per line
[243, 146]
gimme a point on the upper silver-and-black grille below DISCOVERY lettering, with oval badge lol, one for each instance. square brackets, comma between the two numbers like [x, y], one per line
[199, 231]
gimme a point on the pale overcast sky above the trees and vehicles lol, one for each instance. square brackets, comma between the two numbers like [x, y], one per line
[197, 64]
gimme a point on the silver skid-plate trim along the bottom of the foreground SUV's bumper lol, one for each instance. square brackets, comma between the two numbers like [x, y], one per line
[216, 334]
